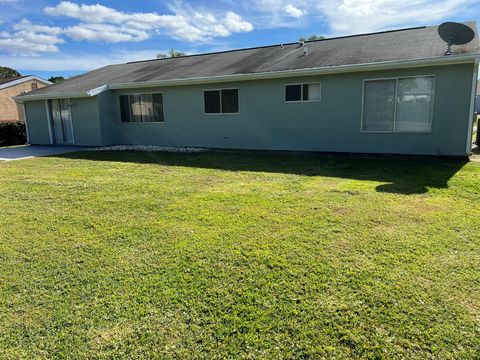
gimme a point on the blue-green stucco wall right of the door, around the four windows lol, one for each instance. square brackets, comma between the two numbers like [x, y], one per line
[265, 121]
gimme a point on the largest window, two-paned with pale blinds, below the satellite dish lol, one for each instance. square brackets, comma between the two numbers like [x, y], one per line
[398, 105]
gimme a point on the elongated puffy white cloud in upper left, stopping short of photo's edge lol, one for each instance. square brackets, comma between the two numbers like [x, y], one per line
[186, 23]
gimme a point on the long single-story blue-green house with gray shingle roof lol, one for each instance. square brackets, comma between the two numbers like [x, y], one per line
[385, 92]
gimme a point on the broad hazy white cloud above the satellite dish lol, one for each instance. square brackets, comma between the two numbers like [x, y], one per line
[357, 16]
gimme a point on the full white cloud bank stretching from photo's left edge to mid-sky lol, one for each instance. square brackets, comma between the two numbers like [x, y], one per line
[104, 24]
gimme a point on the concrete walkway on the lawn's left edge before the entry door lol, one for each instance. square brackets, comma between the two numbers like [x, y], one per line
[31, 151]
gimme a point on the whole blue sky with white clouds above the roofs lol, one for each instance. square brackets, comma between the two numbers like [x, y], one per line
[46, 37]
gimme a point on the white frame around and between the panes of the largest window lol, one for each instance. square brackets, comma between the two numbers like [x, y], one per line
[393, 131]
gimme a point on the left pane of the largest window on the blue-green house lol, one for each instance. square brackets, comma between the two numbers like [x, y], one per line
[378, 105]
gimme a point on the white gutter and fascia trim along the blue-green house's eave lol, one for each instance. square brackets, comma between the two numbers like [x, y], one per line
[383, 65]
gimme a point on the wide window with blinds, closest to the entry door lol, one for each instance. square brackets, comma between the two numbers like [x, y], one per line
[142, 108]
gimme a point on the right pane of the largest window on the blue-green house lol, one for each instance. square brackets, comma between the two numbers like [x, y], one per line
[414, 104]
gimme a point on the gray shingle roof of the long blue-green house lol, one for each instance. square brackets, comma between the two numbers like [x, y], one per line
[413, 43]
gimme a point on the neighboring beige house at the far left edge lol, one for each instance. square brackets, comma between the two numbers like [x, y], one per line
[10, 87]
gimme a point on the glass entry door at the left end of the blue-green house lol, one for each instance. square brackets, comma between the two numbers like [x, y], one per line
[61, 121]
